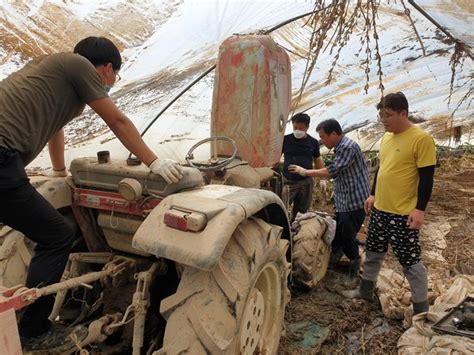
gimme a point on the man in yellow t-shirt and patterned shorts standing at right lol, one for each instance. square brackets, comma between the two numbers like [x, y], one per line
[402, 188]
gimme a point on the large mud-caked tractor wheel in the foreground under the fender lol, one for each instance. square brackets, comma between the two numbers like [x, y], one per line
[239, 306]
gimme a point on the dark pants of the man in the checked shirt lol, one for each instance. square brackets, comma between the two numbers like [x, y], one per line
[347, 226]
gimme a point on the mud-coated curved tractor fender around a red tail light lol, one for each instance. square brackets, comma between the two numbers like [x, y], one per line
[224, 208]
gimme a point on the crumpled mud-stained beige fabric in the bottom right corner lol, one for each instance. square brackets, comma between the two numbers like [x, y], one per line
[421, 339]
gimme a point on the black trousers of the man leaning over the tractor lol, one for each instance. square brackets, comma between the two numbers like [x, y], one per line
[25, 210]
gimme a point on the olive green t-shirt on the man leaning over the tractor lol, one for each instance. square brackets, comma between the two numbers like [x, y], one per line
[42, 97]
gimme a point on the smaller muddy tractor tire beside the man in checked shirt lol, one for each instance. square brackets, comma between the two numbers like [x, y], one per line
[310, 253]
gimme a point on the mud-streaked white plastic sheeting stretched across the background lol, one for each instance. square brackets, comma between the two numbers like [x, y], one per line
[178, 40]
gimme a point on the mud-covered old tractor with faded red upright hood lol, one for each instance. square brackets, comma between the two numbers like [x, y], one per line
[200, 266]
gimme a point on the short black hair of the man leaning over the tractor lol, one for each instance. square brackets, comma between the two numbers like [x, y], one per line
[99, 51]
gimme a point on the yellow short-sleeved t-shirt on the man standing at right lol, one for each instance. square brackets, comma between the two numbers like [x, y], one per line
[397, 180]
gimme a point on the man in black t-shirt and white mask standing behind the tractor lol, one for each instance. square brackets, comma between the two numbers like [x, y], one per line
[299, 148]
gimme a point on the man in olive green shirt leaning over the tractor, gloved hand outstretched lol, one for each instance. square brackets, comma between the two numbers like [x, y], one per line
[35, 104]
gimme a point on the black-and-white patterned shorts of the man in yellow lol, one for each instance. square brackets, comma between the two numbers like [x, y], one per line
[385, 228]
